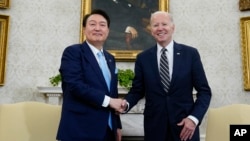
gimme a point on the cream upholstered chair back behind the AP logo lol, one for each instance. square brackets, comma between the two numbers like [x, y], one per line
[219, 120]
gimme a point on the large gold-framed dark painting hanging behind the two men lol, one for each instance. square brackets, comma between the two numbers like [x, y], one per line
[125, 49]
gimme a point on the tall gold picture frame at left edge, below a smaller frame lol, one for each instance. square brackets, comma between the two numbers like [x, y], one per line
[4, 29]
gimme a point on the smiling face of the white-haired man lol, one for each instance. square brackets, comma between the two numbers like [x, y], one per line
[162, 27]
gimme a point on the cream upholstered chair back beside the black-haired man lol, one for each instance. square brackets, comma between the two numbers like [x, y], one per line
[29, 121]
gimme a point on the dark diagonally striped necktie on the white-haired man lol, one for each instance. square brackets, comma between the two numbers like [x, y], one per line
[164, 70]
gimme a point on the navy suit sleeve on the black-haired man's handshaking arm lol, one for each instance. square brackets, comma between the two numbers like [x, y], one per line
[73, 82]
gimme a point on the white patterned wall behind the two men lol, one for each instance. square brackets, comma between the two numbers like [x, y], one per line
[41, 29]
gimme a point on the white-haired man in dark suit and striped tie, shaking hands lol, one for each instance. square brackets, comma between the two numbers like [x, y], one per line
[171, 113]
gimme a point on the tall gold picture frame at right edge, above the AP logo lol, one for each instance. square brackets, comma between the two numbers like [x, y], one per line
[245, 47]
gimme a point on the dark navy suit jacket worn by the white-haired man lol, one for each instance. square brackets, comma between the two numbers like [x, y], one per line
[164, 110]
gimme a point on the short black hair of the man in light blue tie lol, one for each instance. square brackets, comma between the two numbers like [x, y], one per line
[96, 11]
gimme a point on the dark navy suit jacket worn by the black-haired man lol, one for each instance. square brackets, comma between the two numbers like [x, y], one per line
[84, 88]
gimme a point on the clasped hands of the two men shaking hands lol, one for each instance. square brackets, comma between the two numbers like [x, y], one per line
[120, 105]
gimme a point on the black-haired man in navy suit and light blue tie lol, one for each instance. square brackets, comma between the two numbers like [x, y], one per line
[89, 102]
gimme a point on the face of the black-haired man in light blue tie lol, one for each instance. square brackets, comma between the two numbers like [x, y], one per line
[96, 30]
